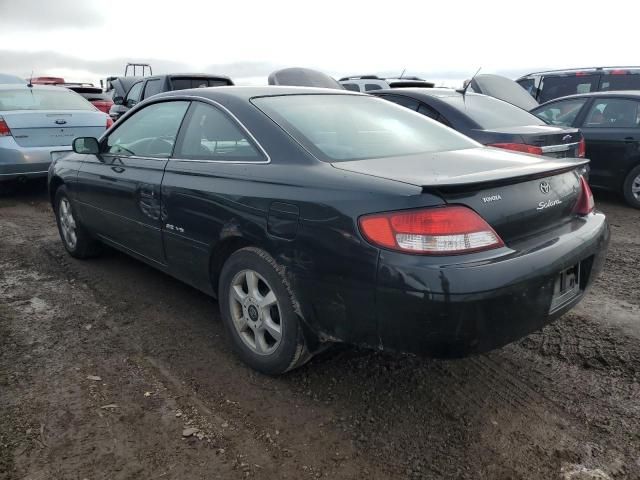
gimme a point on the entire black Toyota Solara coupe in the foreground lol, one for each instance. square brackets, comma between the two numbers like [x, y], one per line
[319, 216]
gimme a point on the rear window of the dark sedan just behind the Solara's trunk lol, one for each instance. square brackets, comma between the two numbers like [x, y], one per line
[491, 113]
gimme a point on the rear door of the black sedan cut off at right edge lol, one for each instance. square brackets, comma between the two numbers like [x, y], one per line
[612, 134]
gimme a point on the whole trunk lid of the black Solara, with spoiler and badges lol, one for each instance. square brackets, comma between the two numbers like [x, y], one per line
[516, 194]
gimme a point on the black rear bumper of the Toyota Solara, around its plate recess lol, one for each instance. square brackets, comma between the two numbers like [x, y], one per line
[449, 309]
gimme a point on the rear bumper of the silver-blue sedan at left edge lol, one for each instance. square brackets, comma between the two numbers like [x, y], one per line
[17, 161]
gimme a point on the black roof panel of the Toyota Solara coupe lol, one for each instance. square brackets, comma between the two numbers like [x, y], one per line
[246, 93]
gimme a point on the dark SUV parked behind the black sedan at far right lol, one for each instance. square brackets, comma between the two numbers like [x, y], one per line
[545, 86]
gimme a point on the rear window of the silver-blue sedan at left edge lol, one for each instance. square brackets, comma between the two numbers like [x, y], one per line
[37, 99]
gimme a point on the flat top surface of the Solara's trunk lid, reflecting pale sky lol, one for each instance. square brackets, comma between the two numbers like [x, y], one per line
[459, 167]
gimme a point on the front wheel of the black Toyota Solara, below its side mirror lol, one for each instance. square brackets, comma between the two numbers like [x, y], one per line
[75, 238]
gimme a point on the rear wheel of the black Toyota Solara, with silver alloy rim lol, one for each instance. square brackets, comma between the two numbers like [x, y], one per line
[258, 312]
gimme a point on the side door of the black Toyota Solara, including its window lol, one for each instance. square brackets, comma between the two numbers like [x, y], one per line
[119, 190]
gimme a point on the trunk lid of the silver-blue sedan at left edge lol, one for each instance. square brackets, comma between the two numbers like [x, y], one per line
[45, 128]
